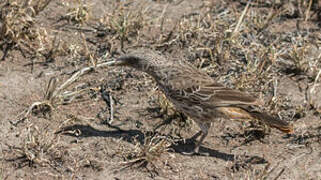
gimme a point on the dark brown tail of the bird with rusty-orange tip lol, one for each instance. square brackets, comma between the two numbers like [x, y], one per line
[274, 122]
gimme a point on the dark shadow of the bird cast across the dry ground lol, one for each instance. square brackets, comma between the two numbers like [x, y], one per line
[127, 135]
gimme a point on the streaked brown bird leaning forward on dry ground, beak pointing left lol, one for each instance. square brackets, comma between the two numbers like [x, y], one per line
[197, 95]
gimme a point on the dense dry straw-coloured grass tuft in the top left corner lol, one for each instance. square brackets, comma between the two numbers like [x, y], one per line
[18, 28]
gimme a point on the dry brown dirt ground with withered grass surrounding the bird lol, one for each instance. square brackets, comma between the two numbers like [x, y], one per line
[103, 124]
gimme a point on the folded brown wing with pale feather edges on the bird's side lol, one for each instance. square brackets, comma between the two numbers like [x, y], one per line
[198, 88]
